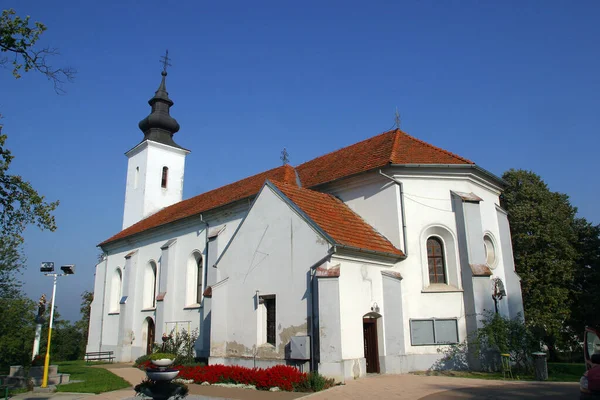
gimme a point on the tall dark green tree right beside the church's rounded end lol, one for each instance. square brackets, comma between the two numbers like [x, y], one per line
[543, 238]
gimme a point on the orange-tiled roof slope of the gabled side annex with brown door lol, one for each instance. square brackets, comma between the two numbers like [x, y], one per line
[337, 220]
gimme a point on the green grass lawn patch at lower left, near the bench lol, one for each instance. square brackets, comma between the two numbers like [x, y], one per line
[95, 380]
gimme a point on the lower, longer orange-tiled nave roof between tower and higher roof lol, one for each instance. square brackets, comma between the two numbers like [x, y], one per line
[215, 198]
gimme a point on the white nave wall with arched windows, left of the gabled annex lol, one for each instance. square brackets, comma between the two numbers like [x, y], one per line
[177, 312]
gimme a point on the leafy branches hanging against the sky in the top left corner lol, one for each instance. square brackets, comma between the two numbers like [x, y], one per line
[18, 39]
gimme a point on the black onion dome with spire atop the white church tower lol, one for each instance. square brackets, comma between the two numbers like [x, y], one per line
[159, 126]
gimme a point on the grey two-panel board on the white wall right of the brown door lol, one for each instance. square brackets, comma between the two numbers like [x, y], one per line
[433, 331]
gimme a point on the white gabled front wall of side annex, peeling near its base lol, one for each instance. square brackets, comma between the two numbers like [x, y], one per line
[270, 255]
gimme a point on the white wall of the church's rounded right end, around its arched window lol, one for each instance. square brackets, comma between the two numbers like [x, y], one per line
[428, 211]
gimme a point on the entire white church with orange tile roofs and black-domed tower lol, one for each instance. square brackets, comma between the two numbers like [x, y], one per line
[367, 259]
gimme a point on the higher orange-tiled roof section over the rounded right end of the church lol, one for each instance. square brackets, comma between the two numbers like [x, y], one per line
[392, 147]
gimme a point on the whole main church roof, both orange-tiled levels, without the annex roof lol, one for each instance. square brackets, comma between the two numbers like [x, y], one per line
[392, 147]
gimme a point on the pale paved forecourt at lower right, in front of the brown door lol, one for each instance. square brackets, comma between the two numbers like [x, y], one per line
[440, 387]
